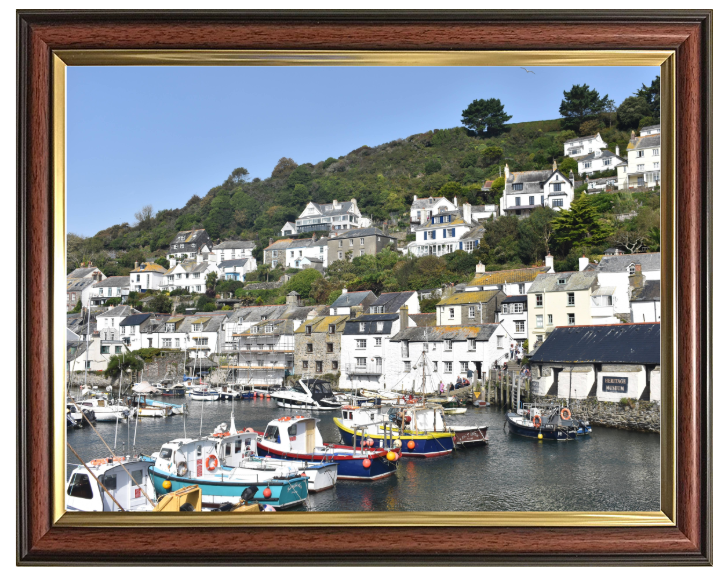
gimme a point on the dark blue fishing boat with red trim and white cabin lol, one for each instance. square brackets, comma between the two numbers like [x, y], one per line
[298, 438]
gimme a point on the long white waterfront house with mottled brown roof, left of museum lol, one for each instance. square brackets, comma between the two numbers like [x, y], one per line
[444, 353]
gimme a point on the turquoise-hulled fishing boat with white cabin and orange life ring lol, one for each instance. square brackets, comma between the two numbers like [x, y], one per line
[184, 462]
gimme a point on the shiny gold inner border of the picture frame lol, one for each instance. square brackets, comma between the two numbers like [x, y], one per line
[665, 59]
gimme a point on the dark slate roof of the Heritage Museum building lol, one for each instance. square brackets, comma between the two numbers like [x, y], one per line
[611, 344]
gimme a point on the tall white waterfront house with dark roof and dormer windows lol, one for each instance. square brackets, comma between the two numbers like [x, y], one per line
[365, 348]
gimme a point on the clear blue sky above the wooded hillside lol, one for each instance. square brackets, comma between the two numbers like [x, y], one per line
[157, 136]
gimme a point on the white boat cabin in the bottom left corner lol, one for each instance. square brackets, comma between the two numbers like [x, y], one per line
[83, 493]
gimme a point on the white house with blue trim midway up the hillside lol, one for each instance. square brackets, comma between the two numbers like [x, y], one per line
[442, 233]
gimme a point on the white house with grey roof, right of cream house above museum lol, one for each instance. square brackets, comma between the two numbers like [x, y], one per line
[624, 273]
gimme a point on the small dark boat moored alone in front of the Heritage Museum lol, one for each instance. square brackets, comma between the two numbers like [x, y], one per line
[546, 421]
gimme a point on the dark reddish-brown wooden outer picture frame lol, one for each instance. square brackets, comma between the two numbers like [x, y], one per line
[686, 33]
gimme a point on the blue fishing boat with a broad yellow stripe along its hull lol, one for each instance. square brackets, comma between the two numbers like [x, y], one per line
[419, 430]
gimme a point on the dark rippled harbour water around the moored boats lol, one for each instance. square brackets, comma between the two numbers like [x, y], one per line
[614, 470]
